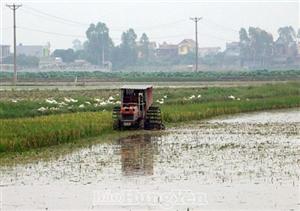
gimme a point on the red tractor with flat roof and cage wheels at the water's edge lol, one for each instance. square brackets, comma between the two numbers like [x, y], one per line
[136, 110]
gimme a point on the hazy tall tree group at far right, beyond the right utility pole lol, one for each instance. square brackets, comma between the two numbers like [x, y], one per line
[258, 47]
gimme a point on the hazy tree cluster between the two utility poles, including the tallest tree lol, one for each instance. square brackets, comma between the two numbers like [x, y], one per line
[99, 48]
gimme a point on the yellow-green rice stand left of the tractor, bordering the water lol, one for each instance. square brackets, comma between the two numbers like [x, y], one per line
[25, 133]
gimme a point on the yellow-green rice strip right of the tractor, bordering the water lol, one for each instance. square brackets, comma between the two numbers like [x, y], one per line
[199, 111]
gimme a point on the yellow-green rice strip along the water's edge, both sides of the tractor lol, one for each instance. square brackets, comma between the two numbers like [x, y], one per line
[22, 134]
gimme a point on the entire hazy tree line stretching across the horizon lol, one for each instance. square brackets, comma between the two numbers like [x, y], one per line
[257, 48]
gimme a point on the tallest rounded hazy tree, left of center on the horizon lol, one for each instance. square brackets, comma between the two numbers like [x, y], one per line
[99, 45]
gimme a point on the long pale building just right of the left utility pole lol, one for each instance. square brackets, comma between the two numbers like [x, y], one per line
[33, 50]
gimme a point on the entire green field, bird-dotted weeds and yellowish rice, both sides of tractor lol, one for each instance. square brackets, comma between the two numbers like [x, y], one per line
[28, 124]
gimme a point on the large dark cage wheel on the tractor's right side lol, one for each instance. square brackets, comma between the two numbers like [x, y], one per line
[153, 119]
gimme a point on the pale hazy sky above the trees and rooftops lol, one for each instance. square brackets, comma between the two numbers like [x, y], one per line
[60, 22]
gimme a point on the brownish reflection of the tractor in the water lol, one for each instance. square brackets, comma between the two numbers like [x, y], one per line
[137, 155]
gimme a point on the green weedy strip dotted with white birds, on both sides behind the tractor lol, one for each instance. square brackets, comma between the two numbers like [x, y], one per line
[27, 103]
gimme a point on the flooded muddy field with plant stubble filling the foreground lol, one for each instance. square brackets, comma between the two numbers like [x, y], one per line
[247, 161]
